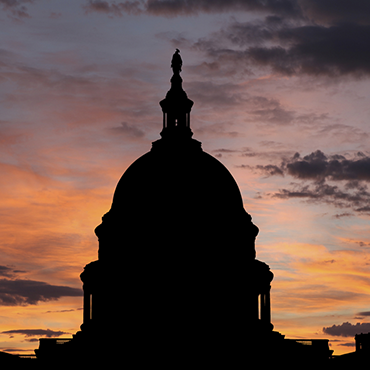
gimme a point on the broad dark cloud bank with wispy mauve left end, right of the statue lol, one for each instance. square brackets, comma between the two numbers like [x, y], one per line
[291, 48]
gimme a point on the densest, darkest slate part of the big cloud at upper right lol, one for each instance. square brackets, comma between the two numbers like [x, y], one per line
[317, 50]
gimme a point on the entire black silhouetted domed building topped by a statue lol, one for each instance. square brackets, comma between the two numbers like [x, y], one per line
[177, 283]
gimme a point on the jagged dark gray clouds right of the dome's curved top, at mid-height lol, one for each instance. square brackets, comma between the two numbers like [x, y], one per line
[331, 179]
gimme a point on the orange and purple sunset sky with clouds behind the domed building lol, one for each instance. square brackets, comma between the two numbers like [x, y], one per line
[281, 92]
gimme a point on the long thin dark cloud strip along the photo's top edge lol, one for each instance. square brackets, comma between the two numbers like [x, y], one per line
[317, 11]
